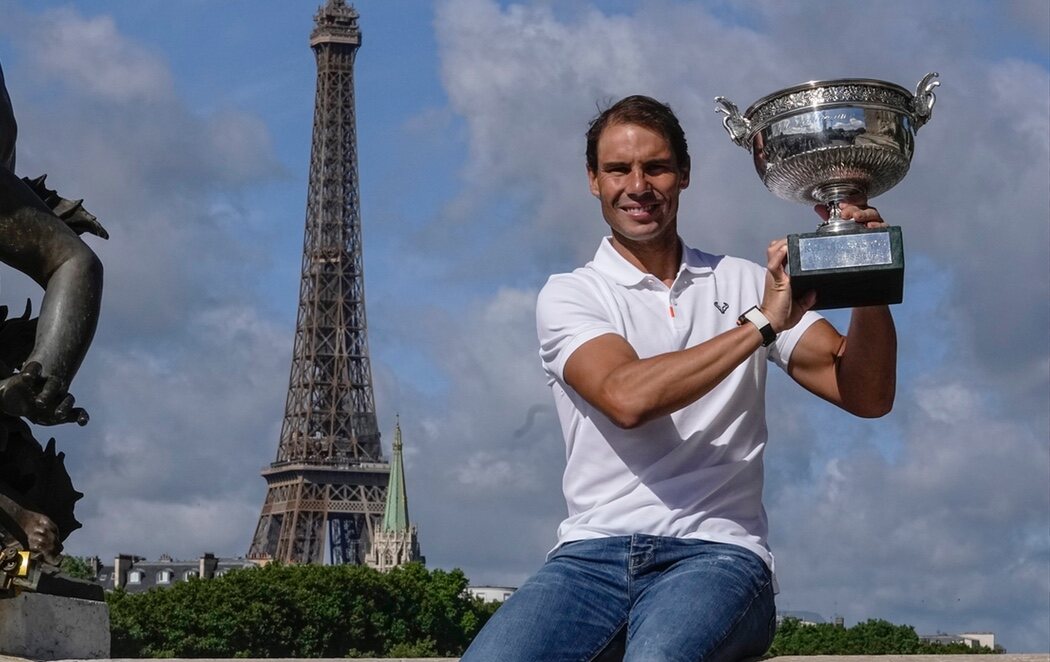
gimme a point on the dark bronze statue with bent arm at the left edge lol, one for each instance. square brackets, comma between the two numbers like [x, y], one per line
[39, 236]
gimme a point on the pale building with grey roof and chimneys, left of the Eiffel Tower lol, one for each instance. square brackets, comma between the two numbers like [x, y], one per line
[136, 574]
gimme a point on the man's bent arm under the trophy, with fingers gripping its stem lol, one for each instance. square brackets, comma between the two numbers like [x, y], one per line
[857, 373]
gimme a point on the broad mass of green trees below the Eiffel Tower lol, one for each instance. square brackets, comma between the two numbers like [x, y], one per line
[301, 612]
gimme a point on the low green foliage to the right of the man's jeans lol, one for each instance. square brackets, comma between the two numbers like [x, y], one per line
[873, 637]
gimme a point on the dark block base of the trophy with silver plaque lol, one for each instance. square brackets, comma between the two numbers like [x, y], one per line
[851, 270]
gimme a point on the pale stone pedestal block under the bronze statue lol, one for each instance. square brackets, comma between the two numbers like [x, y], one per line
[49, 628]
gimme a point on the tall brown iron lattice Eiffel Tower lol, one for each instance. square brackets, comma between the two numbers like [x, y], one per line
[329, 481]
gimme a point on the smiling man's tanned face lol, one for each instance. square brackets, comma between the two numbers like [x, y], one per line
[639, 183]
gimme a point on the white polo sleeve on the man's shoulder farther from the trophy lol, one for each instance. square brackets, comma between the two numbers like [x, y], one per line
[569, 314]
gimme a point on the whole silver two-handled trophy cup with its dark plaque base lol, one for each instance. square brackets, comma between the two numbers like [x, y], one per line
[830, 142]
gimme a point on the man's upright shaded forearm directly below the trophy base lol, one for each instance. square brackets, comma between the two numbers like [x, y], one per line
[867, 369]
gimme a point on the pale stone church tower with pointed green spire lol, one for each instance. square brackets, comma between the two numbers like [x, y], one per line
[395, 542]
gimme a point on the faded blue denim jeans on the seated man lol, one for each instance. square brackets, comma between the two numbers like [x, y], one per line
[636, 598]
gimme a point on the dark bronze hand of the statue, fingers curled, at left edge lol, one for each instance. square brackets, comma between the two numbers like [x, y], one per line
[43, 400]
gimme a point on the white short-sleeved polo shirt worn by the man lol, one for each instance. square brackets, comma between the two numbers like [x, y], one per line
[697, 473]
